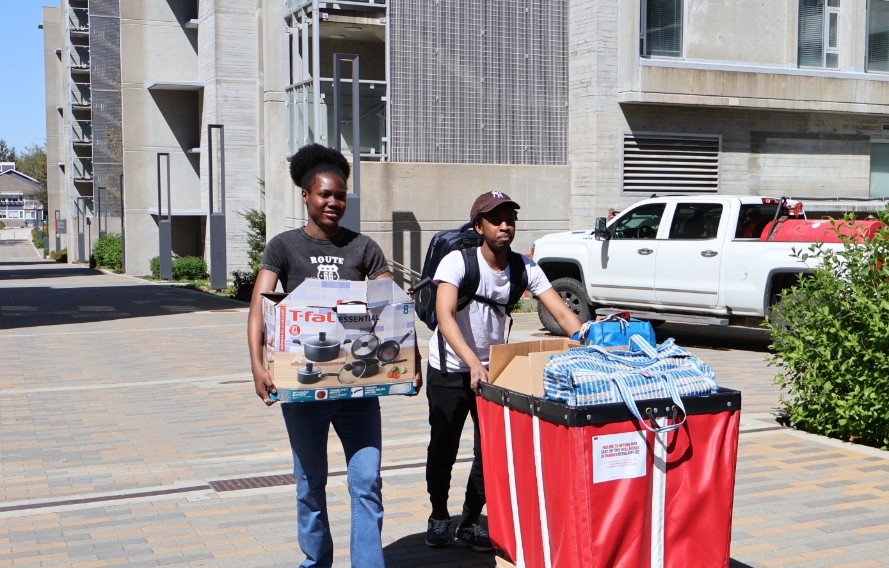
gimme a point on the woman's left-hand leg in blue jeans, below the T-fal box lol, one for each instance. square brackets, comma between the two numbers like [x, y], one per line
[308, 424]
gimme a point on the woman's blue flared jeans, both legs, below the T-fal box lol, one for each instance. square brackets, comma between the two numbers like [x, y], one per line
[358, 424]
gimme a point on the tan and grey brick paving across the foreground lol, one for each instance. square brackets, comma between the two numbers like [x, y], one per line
[130, 436]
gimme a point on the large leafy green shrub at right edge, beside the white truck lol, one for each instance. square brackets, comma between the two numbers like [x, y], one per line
[831, 340]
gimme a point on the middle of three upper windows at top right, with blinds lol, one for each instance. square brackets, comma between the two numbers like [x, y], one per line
[818, 34]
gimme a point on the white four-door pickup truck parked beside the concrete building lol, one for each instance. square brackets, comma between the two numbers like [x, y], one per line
[705, 259]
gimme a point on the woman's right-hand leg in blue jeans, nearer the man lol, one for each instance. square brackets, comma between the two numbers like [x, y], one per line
[359, 426]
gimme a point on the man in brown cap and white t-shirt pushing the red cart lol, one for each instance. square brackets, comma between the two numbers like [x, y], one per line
[458, 354]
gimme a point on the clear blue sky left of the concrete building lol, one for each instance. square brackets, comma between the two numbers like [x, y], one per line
[22, 95]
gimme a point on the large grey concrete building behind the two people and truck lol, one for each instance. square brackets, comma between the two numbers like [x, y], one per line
[571, 107]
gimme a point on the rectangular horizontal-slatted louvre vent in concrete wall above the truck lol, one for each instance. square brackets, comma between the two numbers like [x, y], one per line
[665, 163]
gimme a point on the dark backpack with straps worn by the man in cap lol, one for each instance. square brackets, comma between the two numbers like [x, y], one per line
[466, 240]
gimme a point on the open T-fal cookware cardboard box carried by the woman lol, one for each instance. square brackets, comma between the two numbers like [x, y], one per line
[338, 339]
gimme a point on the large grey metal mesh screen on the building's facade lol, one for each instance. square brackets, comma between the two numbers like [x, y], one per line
[479, 82]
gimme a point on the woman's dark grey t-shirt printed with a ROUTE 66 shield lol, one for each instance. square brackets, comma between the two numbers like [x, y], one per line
[295, 256]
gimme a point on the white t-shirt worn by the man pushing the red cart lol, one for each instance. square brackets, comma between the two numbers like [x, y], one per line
[482, 325]
